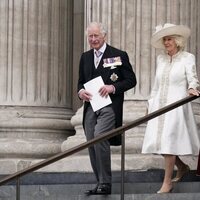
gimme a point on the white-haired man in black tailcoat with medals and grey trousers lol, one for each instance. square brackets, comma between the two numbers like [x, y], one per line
[116, 71]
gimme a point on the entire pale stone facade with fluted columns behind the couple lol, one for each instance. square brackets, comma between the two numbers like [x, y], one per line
[40, 46]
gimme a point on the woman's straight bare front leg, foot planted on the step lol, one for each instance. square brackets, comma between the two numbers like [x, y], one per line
[169, 168]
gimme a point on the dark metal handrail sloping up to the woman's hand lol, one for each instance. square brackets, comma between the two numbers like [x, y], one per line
[100, 138]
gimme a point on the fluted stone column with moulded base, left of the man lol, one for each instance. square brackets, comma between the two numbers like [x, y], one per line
[35, 80]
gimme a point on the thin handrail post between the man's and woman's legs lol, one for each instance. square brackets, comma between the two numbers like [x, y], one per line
[122, 165]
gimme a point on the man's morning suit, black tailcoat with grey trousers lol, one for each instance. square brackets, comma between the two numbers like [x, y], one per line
[110, 117]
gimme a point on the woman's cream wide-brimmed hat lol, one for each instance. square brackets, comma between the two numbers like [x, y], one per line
[167, 30]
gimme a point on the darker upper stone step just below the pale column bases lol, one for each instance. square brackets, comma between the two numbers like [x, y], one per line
[149, 176]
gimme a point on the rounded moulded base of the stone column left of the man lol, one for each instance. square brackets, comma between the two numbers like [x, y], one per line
[29, 133]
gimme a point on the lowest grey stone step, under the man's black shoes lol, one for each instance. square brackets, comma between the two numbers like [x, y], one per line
[137, 191]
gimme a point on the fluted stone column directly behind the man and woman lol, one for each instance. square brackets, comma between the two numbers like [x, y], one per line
[130, 25]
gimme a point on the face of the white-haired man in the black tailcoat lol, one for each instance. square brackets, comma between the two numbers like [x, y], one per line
[96, 39]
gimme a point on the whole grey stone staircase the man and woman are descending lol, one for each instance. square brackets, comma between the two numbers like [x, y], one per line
[139, 185]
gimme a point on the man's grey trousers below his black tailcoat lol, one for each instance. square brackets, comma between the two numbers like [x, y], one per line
[97, 123]
